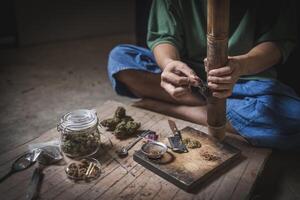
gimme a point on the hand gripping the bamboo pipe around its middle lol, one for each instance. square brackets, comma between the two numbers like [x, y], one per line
[221, 81]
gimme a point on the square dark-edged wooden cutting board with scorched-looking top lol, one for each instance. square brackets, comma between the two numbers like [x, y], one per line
[189, 170]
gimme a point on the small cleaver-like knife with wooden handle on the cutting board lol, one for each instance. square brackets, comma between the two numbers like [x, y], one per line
[176, 140]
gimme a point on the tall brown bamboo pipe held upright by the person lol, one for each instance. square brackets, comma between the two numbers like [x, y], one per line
[217, 46]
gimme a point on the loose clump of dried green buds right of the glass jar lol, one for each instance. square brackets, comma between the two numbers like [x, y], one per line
[122, 125]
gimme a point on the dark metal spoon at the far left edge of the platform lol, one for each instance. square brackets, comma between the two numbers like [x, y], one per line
[23, 162]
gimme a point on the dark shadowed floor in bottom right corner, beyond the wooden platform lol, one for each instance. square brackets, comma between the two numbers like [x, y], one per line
[280, 178]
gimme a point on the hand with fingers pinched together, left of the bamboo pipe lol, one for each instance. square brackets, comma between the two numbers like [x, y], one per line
[177, 78]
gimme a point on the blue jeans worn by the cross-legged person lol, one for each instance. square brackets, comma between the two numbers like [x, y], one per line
[265, 112]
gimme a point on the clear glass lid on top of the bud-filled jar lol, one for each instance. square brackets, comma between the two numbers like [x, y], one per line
[78, 120]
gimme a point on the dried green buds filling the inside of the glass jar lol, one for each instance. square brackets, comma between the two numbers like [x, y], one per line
[80, 144]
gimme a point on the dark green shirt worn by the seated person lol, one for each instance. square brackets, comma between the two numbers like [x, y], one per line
[182, 23]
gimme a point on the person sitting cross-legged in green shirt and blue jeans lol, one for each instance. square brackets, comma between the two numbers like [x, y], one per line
[259, 107]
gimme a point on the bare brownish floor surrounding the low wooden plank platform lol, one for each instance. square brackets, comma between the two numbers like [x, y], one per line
[40, 83]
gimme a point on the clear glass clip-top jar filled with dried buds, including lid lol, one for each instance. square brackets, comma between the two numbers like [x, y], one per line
[80, 136]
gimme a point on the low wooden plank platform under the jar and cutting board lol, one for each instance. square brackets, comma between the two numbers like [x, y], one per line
[125, 179]
